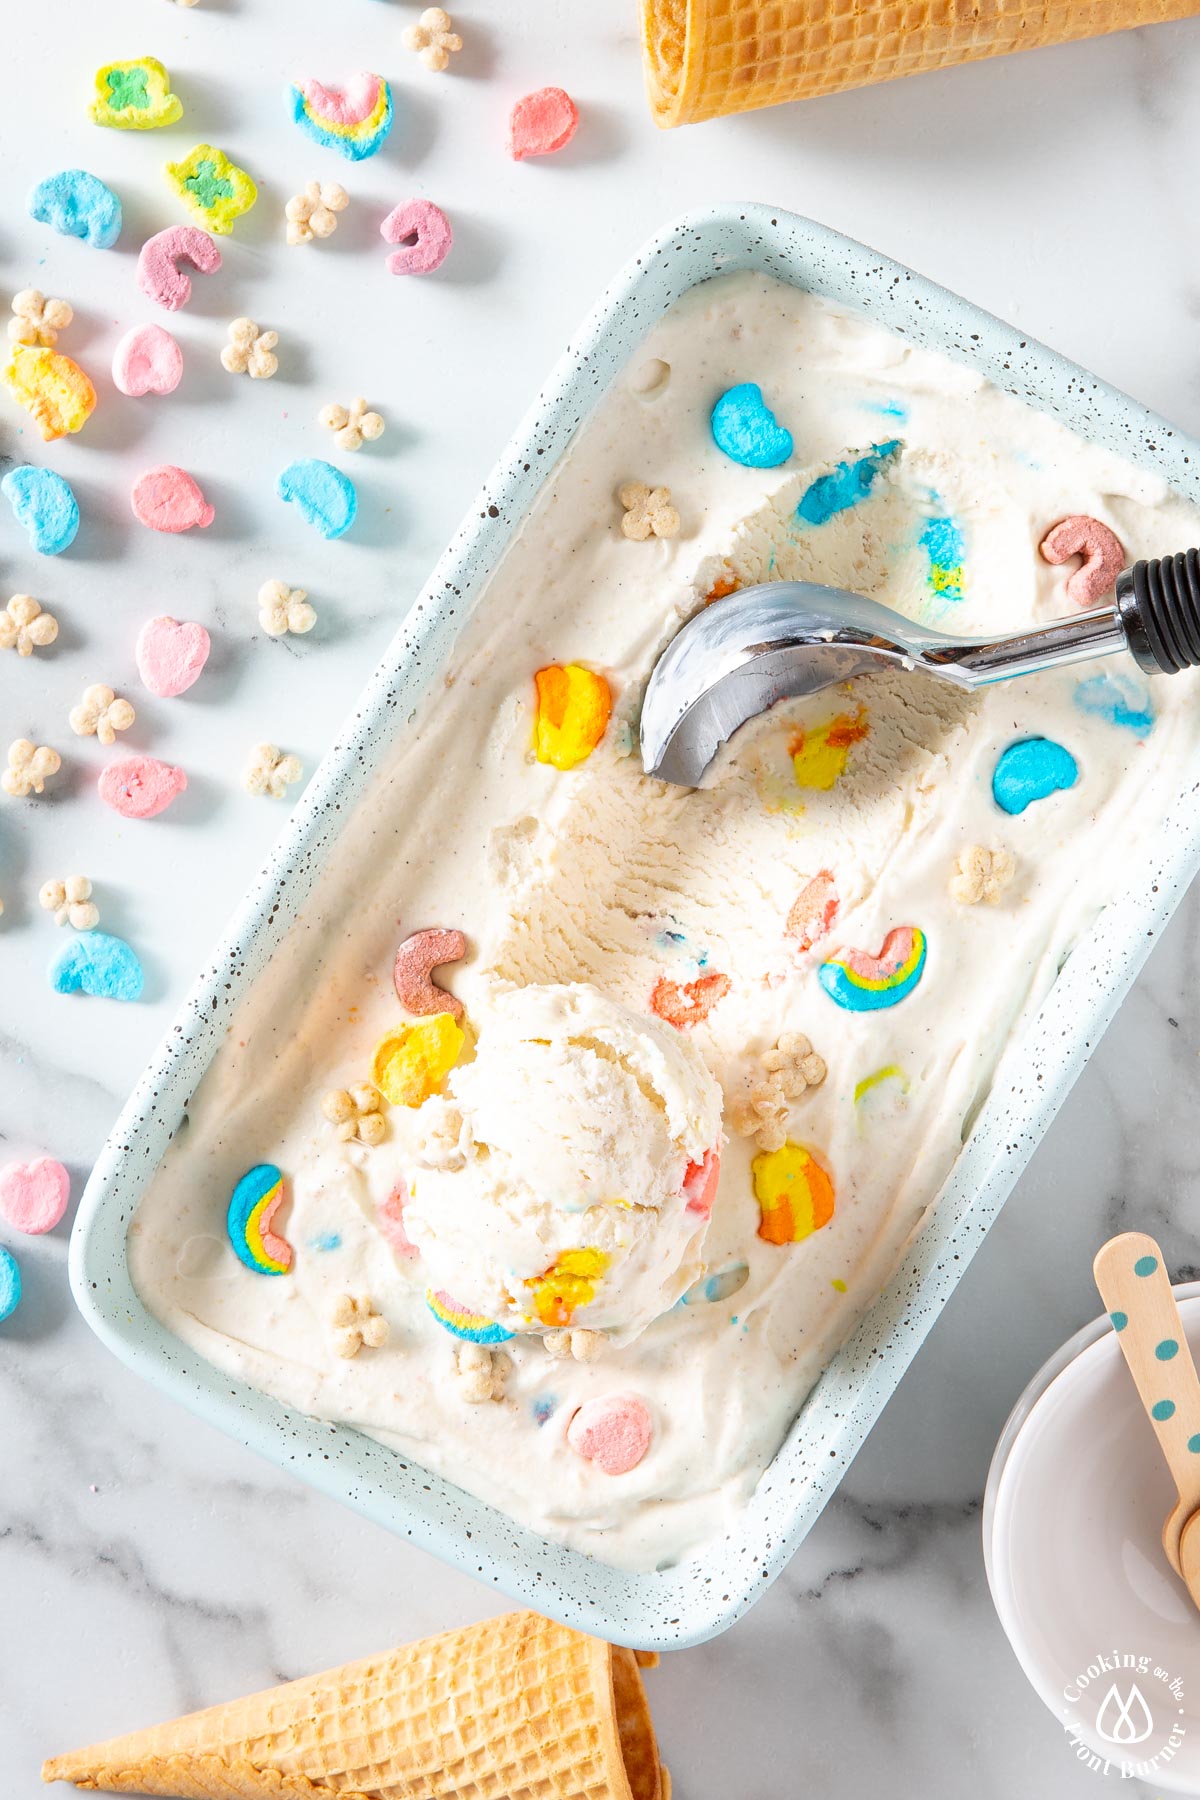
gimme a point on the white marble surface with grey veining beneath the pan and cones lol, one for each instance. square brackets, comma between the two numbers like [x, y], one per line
[148, 1565]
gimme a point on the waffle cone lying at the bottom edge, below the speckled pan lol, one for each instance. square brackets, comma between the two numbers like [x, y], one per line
[512, 1709]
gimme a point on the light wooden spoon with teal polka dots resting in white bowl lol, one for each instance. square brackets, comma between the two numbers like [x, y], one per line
[1138, 1291]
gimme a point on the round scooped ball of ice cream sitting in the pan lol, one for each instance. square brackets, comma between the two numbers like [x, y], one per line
[559, 1183]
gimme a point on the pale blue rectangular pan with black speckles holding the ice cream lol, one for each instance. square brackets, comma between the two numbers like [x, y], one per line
[701, 1597]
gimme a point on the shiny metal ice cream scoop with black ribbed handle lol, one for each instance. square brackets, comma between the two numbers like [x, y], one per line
[737, 658]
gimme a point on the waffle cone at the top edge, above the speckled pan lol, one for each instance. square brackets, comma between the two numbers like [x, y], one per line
[708, 58]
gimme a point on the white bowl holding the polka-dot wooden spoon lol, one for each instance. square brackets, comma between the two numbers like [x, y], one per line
[1073, 1518]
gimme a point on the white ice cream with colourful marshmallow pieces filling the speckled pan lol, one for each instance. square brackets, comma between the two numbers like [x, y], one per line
[843, 933]
